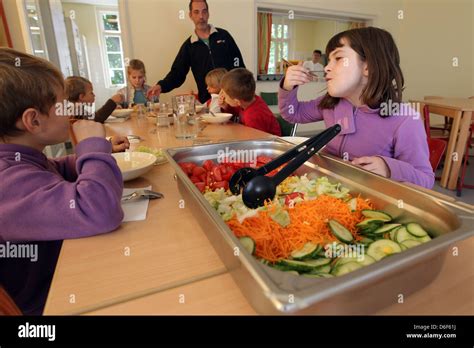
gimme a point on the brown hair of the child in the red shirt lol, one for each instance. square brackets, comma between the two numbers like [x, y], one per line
[239, 84]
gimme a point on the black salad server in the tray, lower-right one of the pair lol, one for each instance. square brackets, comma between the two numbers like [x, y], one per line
[263, 188]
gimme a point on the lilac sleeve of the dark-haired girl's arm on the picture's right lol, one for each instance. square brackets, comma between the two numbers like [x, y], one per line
[411, 155]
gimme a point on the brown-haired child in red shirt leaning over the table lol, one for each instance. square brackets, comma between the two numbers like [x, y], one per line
[238, 90]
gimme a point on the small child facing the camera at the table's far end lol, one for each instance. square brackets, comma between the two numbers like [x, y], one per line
[136, 90]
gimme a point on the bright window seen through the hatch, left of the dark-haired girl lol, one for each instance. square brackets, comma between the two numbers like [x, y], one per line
[280, 44]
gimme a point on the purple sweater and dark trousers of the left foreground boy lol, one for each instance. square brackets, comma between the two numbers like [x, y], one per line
[45, 201]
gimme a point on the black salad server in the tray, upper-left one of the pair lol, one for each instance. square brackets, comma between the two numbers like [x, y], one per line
[242, 176]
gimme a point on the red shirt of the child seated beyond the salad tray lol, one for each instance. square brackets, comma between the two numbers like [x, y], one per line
[258, 115]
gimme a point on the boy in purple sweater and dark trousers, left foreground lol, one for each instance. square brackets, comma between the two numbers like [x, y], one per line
[45, 201]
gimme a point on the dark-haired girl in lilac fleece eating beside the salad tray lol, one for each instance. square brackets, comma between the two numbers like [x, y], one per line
[364, 80]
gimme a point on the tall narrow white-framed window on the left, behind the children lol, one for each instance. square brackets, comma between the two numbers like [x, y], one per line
[112, 48]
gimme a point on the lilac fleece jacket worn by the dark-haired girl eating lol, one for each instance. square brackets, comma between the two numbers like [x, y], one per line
[399, 139]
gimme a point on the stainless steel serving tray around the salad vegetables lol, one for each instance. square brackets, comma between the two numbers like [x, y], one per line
[363, 291]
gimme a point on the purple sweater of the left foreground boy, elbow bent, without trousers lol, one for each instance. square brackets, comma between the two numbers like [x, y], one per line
[55, 209]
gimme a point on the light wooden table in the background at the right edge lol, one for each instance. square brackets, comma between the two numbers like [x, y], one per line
[460, 110]
